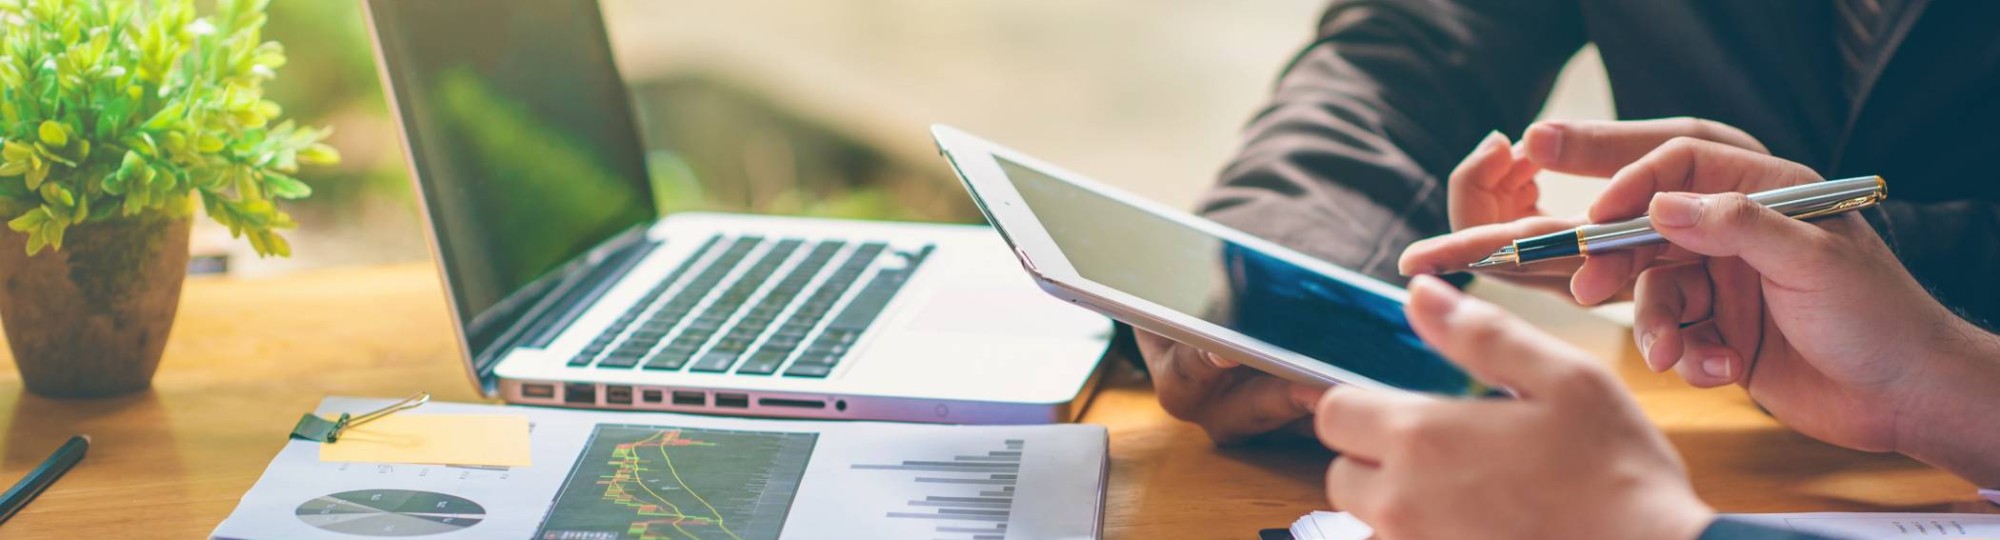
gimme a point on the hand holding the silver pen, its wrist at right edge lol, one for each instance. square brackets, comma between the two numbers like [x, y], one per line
[1819, 319]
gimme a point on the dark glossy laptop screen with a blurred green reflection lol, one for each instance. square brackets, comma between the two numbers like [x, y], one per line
[523, 143]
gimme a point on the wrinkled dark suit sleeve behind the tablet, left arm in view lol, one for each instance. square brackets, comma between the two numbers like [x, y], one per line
[1349, 157]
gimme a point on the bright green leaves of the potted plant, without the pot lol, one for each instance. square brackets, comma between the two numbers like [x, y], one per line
[115, 109]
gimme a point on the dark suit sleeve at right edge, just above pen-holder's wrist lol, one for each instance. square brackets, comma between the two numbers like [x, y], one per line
[1953, 249]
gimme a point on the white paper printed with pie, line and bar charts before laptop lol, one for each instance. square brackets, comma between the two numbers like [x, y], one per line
[627, 475]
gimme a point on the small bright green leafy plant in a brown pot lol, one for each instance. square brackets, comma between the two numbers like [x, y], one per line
[117, 119]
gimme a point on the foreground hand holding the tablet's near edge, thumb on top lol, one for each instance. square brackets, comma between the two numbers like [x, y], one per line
[1569, 459]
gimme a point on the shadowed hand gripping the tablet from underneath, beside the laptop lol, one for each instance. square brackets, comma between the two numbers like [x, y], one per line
[1229, 401]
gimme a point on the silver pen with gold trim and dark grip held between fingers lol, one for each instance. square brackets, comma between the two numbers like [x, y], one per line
[1801, 203]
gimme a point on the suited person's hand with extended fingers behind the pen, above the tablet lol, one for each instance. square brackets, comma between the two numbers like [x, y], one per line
[1493, 195]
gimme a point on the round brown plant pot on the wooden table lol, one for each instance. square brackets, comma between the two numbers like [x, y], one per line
[91, 321]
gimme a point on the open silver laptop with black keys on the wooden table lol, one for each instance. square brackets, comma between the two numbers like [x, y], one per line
[573, 291]
